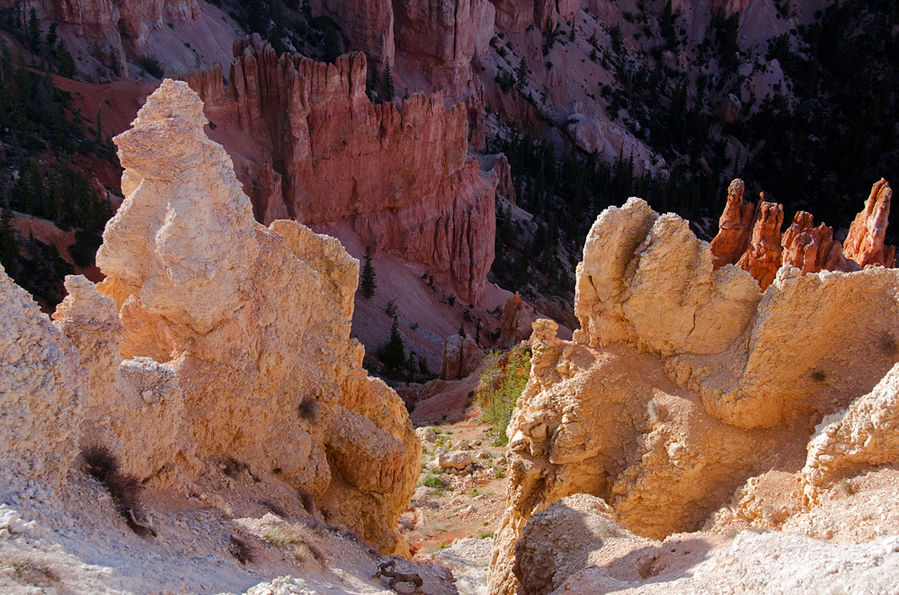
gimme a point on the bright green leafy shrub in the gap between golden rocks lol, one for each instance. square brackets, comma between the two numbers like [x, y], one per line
[502, 381]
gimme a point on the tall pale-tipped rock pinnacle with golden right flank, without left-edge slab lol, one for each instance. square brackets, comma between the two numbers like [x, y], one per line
[253, 322]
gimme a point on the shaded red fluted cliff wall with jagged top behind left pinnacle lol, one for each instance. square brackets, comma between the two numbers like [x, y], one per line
[400, 177]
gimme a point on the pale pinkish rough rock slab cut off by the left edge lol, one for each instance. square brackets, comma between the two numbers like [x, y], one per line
[43, 392]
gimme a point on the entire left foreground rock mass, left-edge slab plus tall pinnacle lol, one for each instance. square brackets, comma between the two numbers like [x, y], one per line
[212, 341]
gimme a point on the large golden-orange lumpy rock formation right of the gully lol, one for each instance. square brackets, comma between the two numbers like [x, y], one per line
[709, 382]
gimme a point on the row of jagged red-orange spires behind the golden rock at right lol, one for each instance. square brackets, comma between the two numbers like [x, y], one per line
[802, 245]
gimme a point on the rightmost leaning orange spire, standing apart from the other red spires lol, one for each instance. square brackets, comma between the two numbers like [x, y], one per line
[865, 242]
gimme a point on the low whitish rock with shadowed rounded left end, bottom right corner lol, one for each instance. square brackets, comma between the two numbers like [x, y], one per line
[600, 556]
